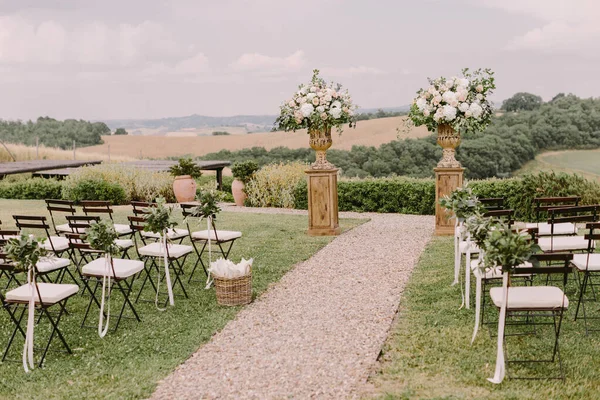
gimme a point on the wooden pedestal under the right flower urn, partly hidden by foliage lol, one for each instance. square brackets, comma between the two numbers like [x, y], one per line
[446, 181]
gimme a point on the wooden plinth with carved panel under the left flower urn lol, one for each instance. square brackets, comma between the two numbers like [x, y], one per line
[322, 203]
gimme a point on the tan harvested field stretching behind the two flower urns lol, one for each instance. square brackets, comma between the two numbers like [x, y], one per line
[369, 133]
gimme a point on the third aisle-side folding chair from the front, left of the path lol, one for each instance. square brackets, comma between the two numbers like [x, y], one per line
[152, 254]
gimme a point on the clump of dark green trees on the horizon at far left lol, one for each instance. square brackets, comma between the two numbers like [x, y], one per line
[54, 133]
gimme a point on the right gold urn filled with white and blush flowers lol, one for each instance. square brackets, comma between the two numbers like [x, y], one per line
[452, 105]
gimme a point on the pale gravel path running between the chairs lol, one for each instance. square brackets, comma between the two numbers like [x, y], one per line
[318, 332]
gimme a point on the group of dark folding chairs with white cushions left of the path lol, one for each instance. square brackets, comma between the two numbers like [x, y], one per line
[68, 247]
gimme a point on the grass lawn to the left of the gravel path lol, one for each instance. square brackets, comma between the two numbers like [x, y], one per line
[128, 363]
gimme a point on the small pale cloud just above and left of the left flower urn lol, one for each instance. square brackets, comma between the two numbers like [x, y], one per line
[263, 64]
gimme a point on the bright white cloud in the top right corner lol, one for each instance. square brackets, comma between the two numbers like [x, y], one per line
[564, 25]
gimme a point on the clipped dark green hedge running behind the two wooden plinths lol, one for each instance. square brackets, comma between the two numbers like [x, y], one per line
[417, 196]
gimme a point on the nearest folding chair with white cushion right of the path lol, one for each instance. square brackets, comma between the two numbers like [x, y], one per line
[535, 306]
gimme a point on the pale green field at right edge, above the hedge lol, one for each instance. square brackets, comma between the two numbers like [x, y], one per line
[583, 162]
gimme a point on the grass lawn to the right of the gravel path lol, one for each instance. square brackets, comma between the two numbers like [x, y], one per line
[428, 354]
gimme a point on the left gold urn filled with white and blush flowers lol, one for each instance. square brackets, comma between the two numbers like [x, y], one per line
[317, 107]
